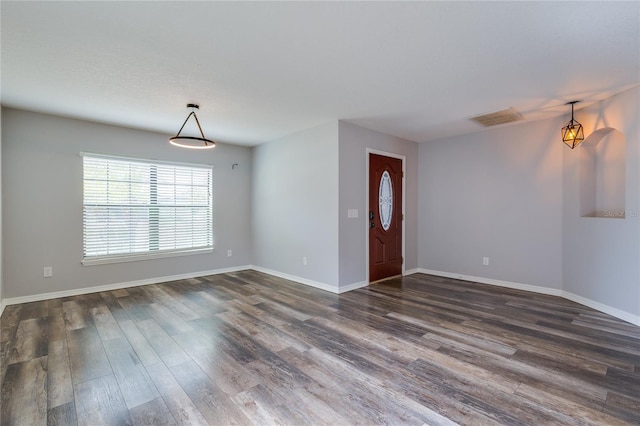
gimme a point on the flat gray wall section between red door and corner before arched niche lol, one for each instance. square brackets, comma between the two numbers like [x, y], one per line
[498, 194]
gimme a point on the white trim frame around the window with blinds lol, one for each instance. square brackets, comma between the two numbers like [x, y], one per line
[157, 254]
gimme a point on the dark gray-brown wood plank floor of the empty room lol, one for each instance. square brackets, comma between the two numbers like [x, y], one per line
[248, 348]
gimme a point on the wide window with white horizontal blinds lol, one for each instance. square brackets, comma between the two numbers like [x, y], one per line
[136, 209]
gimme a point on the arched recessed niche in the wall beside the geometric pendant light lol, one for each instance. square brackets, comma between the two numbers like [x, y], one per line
[602, 174]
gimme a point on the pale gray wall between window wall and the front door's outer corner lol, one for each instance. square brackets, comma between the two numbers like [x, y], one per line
[295, 204]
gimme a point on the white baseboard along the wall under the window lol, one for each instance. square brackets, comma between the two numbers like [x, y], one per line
[116, 286]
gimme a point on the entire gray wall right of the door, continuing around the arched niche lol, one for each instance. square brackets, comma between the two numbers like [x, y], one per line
[513, 194]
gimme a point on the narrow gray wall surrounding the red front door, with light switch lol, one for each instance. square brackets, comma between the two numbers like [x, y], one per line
[354, 141]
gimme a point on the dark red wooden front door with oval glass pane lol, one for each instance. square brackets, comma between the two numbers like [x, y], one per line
[385, 217]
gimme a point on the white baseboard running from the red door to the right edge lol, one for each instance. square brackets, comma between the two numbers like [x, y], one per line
[614, 312]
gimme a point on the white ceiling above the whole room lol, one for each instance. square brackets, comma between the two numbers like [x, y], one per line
[262, 70]
